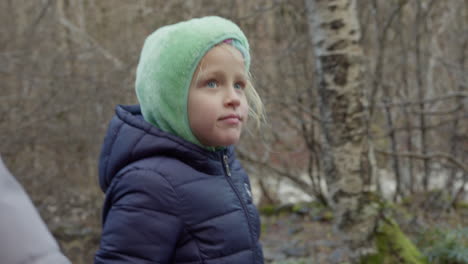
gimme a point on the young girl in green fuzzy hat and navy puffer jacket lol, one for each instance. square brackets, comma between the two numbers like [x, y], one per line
[175, 193]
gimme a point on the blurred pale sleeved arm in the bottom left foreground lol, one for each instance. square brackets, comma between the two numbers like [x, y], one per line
[24, 237]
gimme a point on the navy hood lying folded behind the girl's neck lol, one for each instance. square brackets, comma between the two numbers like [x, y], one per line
[130, 138]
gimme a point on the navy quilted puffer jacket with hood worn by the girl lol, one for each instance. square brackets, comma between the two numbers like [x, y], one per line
[171, 201]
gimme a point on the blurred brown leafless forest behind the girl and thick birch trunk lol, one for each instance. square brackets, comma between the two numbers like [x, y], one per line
[64, 65]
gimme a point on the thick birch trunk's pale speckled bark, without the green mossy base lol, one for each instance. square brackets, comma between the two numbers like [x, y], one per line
[335, 33]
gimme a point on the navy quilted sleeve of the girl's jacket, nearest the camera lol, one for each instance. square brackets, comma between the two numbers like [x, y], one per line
[141, 224]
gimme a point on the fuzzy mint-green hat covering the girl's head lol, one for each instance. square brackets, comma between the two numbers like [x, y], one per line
[168, 60]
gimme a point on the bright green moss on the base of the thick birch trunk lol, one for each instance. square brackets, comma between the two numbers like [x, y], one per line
[394, 247]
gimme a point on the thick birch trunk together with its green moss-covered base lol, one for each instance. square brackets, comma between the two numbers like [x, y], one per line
[335, 34]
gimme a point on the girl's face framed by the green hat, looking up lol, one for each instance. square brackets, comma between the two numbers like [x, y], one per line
[217, 106]
